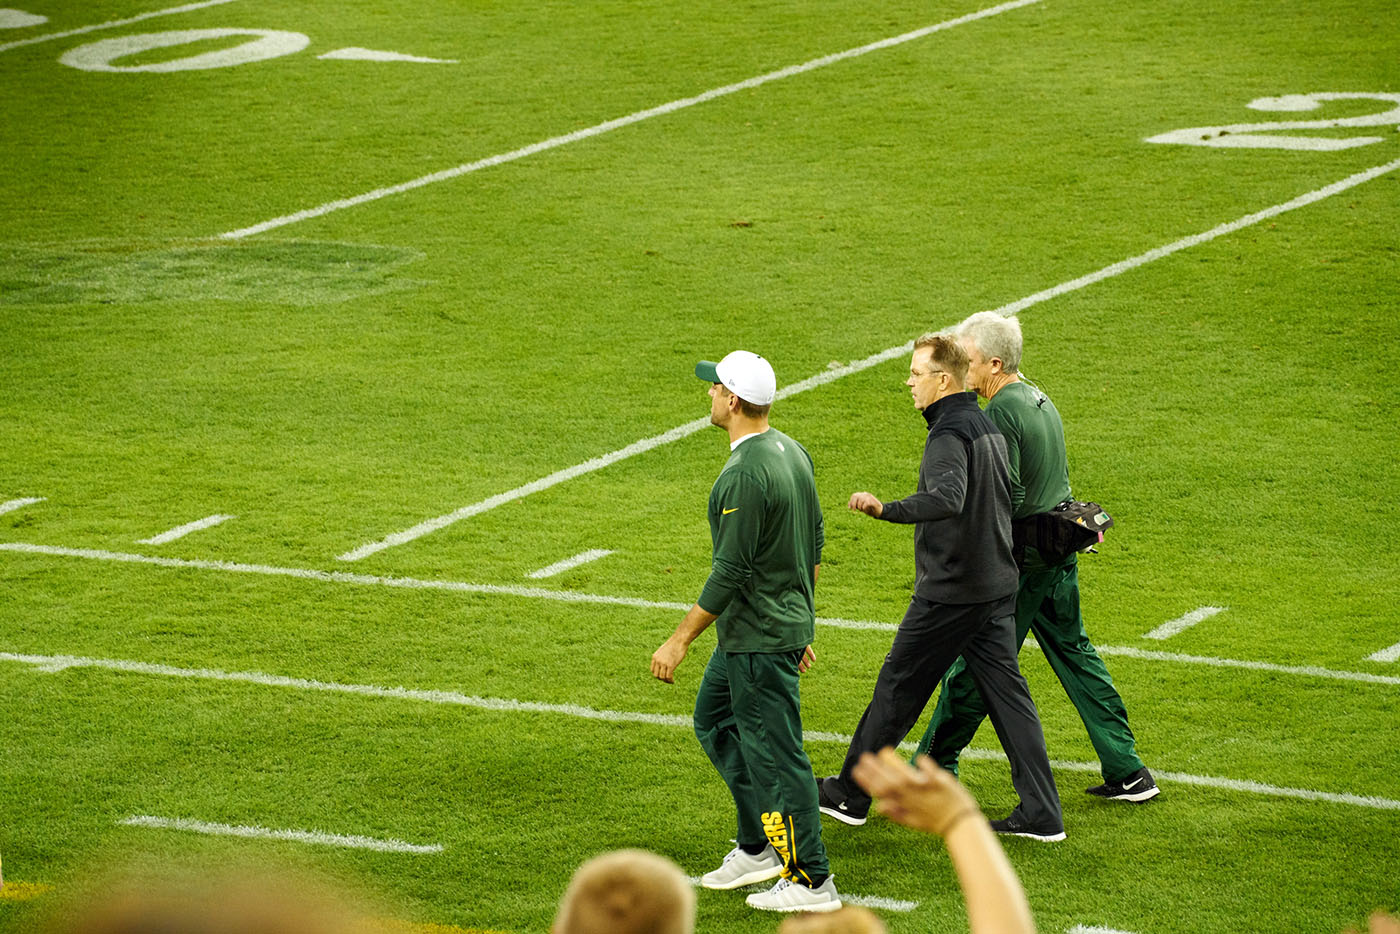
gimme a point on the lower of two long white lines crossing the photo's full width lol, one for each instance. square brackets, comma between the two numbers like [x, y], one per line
[54, 664]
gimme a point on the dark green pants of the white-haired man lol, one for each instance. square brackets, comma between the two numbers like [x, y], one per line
[1048, 603]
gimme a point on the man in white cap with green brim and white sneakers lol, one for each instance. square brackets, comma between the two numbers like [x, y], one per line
[766, 531]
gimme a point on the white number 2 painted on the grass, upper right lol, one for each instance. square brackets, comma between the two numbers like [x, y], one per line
[1266, 137]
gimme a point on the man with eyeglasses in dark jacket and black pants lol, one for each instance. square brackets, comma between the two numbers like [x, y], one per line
[965, 597]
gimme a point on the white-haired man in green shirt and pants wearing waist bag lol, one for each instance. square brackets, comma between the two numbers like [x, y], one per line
[1048, 594]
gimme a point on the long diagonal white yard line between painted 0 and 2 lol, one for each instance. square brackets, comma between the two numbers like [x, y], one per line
[619, 123]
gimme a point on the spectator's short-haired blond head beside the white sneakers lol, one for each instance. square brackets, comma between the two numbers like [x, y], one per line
[628, 893]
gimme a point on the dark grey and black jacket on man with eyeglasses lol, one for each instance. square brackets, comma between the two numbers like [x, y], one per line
[962, 509]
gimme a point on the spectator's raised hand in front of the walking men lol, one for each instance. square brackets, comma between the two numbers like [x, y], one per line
[926, 799]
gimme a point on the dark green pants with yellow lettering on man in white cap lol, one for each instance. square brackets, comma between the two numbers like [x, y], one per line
[750, 722]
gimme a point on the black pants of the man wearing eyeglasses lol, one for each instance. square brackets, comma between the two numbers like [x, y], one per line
[929, 641]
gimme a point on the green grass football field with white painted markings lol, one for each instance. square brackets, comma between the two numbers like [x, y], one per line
[342, 377]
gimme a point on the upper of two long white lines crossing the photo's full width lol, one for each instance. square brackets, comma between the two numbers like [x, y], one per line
[576, 597]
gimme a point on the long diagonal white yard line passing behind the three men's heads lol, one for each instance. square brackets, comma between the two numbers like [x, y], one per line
[821, 379]
